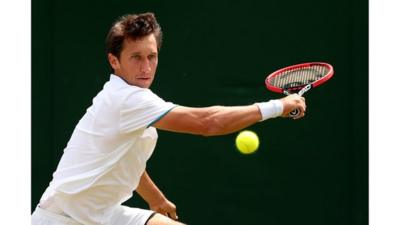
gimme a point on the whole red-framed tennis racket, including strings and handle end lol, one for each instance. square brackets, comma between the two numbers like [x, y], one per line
[299, 78]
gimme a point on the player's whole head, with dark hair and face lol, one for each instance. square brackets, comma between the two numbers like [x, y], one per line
[132, 48]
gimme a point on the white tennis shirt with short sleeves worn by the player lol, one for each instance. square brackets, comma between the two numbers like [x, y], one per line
[107, 153]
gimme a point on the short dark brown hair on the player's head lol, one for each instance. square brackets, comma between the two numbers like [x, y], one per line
[133, 26]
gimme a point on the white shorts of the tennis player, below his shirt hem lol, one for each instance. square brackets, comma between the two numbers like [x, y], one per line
[122, 215]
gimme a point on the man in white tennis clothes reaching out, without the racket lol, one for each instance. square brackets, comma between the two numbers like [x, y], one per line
[105, 159]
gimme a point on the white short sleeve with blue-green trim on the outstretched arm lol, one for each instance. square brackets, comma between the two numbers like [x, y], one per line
[141, 109]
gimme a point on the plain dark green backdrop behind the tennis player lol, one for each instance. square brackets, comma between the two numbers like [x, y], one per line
[312, 171]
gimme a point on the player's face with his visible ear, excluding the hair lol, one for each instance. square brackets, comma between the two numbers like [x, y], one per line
[138, 61]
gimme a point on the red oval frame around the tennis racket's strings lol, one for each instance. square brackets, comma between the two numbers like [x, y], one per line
[313, 84]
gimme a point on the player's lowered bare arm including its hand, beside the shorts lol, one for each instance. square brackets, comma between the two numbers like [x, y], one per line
[148, 190]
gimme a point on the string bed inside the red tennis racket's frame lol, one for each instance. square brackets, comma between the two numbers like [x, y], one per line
[299, 76]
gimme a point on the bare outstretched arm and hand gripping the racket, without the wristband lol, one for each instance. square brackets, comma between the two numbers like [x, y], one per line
[220, 120]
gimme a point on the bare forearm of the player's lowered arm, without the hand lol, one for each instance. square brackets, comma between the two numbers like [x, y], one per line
[149, 191]
